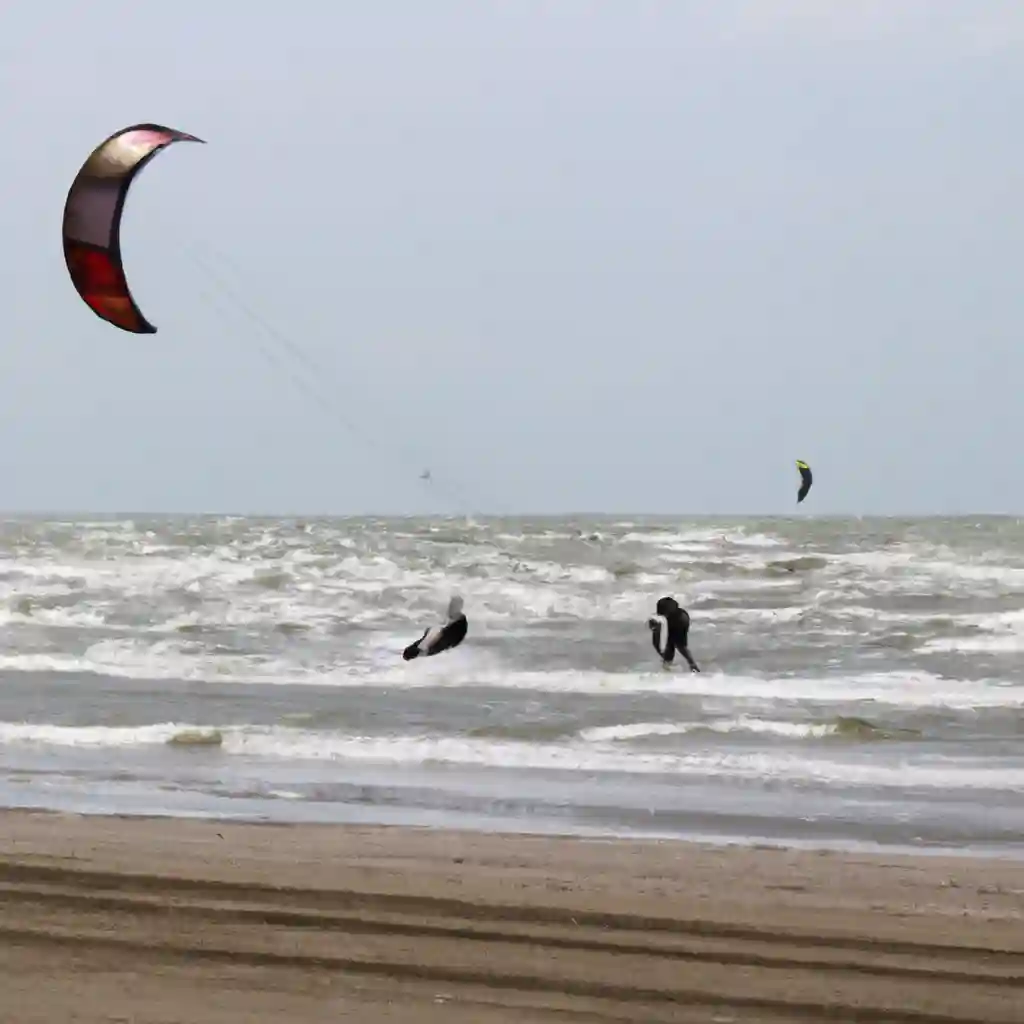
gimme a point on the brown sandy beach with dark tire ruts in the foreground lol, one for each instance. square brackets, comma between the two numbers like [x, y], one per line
[209, 923]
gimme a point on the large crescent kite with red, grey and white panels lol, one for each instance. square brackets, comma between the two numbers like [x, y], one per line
[93, 222]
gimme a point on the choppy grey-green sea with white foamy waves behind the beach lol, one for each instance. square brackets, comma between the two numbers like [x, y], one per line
[863, 680]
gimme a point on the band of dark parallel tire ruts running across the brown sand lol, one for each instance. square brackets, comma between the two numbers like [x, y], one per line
[612, 958]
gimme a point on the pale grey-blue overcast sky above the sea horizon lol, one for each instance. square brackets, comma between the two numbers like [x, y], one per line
[606, 257]
